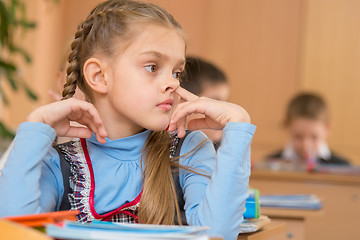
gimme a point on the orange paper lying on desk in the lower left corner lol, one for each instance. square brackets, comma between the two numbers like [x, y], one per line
[41, 219]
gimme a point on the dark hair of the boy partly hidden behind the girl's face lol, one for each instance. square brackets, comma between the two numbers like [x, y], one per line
[198, 73]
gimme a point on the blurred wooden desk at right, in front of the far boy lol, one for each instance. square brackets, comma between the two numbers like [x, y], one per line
[340, 195]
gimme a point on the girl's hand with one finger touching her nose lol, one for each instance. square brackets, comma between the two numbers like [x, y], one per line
[216, 113]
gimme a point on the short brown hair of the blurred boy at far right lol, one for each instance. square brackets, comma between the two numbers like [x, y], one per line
[307, 105]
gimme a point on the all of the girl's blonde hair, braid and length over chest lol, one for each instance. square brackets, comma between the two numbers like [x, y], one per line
[108, 27]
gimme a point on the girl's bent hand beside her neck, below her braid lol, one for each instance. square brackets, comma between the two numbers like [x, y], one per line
[59, 114]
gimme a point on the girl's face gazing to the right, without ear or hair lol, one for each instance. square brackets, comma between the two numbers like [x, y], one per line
[143, 78]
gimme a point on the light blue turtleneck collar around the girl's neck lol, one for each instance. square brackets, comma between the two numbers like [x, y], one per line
[125, 149]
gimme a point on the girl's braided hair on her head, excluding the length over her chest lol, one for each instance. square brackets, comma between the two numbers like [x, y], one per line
[108, 28]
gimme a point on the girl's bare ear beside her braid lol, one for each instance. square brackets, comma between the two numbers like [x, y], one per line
[94, 74]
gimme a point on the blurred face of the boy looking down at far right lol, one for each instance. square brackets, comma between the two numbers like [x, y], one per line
[306, 135]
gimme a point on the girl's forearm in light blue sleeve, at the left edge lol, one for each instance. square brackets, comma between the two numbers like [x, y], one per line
[20, 179]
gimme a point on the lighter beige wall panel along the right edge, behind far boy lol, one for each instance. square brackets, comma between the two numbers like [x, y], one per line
[331, 66]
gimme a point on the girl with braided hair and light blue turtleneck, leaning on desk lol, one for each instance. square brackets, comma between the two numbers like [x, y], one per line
[127, 57]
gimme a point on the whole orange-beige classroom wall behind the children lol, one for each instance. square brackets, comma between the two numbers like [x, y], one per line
[269, 50]
